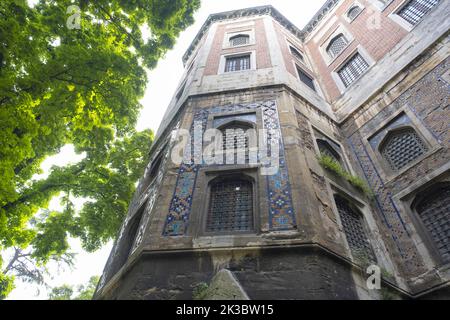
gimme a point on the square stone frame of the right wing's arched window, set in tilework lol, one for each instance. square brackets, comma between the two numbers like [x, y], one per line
[381, 165]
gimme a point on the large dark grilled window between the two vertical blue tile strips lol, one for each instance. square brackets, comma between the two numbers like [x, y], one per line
[230, 206]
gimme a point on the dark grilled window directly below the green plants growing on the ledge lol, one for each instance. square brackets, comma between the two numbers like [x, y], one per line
[353, 224]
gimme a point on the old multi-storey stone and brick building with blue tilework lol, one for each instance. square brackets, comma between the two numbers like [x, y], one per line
[359, 103]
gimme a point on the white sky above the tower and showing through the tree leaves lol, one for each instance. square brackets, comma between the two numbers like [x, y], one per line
[162, 84]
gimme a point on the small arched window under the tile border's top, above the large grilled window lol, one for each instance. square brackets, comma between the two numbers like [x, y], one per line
[236, 141]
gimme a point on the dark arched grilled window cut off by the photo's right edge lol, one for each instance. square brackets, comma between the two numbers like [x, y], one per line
[434, 211]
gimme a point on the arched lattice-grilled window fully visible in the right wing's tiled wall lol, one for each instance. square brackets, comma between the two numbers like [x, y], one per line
[402, 147]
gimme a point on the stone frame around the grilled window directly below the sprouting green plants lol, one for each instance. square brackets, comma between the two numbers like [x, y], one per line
[371, 227]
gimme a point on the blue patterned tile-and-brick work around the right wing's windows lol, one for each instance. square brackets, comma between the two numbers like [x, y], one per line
[428, 100]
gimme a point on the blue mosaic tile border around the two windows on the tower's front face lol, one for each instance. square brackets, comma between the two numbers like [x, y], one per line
[281, 213]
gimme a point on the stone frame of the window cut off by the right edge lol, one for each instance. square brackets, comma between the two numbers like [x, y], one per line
[419, 234]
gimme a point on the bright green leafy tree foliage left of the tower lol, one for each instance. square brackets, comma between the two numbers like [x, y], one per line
[79, 86]
